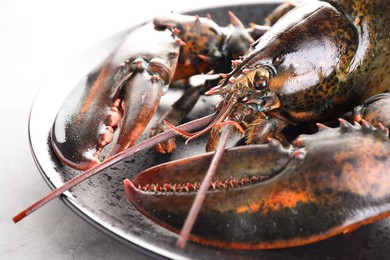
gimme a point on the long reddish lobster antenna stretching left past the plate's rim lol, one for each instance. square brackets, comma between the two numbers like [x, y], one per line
[149, 143]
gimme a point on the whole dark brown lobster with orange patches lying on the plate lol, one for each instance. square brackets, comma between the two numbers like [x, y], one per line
[317, 63]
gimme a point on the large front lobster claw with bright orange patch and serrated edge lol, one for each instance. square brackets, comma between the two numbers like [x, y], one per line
[303, 196]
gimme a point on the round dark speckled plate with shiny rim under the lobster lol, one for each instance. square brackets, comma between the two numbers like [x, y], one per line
[101, 200]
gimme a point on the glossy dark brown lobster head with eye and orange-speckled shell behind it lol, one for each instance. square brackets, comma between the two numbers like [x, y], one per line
[296, 72]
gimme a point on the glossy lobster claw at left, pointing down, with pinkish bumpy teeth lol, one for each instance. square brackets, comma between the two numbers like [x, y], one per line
[123, 94]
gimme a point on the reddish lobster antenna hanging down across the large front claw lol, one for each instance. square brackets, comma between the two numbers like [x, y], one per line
[201, 195]
